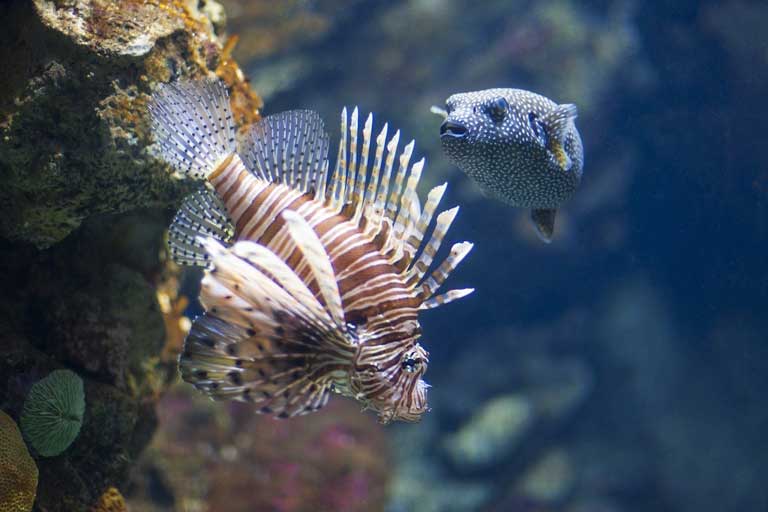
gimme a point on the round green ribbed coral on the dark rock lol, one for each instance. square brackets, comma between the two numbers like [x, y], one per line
[53, 412]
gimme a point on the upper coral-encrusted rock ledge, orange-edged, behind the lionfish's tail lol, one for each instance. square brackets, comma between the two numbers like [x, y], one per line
[83, 76]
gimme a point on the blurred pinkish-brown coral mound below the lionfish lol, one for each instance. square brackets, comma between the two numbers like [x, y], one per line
[221, 456]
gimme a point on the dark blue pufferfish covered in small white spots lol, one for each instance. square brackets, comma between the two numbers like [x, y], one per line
[519, 146]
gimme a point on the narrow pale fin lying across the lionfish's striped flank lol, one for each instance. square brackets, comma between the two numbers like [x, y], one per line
[318, 261]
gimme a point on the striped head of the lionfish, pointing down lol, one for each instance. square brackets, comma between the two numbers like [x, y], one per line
[395, 389]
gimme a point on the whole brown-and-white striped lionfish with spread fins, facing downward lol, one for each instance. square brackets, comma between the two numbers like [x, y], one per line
[314, 280]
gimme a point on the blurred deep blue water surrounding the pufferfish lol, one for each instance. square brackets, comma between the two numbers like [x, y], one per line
[656, 279]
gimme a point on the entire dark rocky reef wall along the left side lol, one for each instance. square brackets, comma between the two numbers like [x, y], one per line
[84, 207]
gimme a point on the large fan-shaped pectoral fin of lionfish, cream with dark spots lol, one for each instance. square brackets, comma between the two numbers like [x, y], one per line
[265, 338]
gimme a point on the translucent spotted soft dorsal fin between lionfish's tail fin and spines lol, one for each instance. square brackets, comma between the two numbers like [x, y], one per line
[290, 148]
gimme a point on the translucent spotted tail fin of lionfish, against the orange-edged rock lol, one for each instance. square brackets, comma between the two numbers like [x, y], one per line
[192, 124]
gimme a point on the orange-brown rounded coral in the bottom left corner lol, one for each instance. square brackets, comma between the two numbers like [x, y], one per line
[18, 472]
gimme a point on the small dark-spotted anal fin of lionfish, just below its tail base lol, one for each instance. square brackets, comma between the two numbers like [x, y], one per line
[202, 214]
